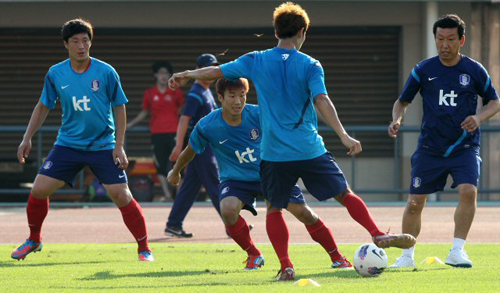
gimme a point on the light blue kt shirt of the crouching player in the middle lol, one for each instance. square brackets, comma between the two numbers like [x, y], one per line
[237, 148]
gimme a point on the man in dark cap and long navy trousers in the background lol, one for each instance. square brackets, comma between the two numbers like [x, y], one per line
[203, 169]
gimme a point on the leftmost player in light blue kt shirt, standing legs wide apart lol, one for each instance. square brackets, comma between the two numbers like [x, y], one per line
[92, 133]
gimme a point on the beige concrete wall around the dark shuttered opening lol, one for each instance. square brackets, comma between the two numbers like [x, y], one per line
[371, 173]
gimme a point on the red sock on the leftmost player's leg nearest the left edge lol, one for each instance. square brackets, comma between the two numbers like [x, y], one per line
[36, 210]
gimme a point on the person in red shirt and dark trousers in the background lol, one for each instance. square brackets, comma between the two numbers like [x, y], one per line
[165, 105]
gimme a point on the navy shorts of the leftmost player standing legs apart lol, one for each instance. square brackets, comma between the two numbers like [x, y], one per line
[64, 163]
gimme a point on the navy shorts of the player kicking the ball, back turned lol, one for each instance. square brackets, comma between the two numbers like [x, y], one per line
[321, 176]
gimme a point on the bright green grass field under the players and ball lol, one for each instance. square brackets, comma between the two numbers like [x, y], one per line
[218, 268]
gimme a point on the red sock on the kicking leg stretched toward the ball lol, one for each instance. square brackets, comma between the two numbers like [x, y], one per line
[359, 212]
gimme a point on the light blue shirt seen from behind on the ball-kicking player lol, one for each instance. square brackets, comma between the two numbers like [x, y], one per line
[286, 83]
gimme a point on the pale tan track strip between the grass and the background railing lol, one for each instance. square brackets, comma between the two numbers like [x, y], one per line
[105, 225]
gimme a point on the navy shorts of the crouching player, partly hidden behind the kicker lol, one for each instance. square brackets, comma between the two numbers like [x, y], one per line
[248, 191]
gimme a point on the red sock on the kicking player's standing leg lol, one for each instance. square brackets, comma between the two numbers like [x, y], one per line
[277, 230]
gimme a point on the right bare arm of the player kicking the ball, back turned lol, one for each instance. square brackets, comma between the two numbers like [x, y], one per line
[329, 113]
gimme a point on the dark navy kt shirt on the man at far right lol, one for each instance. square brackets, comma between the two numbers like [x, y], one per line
[449, 96]
